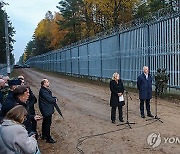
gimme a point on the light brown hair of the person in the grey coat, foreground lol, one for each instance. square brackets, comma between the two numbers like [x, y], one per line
[17, 113]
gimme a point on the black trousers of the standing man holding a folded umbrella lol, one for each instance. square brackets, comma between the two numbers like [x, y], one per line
[46, 124]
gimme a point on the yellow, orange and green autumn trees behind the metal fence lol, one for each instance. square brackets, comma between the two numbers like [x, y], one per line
[80, 19]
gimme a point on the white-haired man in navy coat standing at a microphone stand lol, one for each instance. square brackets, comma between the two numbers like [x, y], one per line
[144, 84]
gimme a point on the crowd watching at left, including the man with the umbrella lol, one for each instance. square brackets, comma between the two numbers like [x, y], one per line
[18, 119]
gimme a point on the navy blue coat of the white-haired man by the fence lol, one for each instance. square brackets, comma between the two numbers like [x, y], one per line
[144, 86]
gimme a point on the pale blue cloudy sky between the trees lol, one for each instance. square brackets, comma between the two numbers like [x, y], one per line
[25, 15]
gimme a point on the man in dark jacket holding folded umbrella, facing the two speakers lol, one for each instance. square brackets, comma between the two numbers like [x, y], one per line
[46, 106]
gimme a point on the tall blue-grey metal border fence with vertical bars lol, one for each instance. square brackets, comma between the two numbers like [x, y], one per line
[155, 44]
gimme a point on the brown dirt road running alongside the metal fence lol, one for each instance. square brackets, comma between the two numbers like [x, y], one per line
[87, 112]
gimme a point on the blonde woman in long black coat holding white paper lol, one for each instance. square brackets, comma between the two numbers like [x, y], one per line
[117, 90]
